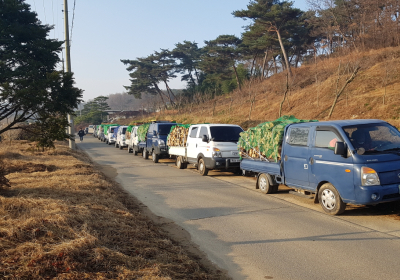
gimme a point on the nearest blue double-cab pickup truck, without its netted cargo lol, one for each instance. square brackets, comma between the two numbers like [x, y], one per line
[340, 162]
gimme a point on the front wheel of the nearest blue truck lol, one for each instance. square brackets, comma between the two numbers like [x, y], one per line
[330, 200]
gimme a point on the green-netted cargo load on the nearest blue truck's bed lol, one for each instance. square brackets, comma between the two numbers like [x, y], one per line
[264, 140]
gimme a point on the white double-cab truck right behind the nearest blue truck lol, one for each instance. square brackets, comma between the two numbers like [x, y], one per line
[209, 146]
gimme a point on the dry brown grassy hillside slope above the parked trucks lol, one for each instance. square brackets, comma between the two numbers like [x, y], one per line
[374, 93]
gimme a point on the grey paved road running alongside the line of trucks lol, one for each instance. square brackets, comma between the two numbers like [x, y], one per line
[256, 236]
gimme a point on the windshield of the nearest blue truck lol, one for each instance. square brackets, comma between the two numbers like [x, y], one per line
[374, 138]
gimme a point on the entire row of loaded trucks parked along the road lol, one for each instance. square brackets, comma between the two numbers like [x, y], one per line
[336, 162]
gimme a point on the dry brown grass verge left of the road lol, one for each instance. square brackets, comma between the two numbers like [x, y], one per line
[62, 219]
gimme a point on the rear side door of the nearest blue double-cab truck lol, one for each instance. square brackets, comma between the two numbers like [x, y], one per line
[296, 154]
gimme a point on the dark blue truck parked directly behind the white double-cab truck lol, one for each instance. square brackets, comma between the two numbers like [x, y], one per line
[156, 140]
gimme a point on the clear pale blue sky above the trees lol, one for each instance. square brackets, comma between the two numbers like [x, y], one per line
[104, 32]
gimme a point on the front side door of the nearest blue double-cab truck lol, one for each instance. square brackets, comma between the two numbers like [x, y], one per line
[328, 167]
